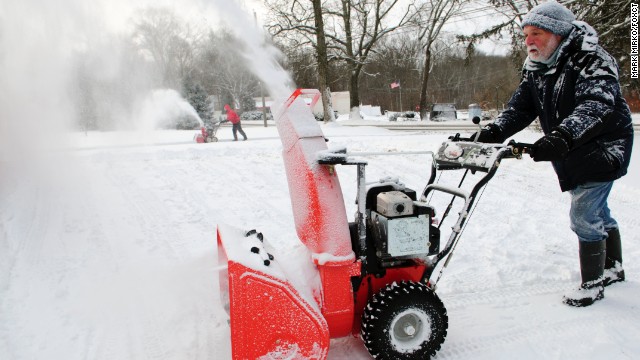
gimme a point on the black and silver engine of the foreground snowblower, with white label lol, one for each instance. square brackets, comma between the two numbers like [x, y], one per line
[399, 226]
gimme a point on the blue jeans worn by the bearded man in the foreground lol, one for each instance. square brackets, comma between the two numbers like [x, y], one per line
[590, 216]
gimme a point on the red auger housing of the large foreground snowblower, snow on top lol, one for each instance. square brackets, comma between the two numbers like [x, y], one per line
[269, 318]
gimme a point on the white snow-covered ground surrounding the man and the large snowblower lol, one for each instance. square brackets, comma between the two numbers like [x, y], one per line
[107, 249]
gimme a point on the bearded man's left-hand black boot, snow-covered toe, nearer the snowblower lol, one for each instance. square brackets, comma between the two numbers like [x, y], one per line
[592, 257]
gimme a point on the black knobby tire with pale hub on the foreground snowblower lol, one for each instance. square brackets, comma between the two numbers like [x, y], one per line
[404, 321]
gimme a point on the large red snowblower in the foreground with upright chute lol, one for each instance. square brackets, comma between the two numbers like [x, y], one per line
[375, 272]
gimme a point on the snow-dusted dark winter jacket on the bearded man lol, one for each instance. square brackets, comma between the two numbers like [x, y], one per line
[580, 97]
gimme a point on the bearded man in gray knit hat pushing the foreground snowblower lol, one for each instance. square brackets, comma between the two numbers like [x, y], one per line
[571, 84]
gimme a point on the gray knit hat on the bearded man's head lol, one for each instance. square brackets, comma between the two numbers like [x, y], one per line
[551, 16]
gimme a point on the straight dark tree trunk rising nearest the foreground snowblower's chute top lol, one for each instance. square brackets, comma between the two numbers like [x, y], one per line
[323, 65]
